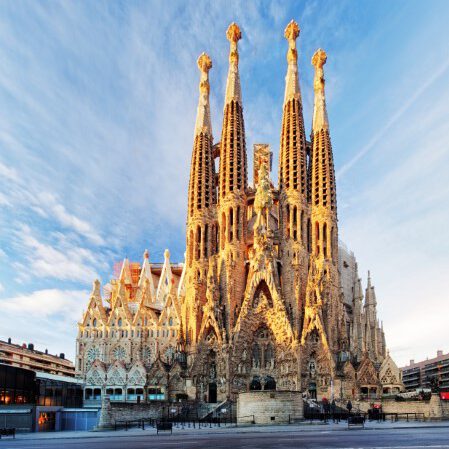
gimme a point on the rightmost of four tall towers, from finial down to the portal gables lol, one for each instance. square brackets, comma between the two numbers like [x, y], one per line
[324, 205]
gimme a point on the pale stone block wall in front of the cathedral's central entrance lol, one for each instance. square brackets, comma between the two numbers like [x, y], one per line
[269, 407]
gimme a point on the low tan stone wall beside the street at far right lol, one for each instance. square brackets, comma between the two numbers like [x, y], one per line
[432, 409]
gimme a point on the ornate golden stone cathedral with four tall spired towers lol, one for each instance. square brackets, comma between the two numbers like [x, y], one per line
[265, 299]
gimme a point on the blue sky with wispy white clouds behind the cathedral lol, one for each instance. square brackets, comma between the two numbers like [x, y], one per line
[98, 103]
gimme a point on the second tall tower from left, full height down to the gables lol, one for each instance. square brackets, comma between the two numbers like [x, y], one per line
[233, 182]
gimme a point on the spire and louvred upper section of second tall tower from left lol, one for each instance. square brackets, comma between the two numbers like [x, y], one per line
[233, 170]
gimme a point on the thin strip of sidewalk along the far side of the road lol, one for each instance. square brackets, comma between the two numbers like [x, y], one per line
[298, 427]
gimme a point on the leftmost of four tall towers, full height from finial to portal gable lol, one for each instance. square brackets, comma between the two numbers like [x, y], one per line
[201, 209]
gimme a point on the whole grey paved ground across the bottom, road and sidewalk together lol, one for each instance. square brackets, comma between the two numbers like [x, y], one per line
[375, 435]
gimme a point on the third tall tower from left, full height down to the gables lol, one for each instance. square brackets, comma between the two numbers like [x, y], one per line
[294, 215]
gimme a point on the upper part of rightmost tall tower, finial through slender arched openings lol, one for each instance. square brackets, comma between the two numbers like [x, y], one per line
[323, 194]
